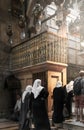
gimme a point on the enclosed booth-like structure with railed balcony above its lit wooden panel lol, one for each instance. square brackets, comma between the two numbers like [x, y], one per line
[43, 56]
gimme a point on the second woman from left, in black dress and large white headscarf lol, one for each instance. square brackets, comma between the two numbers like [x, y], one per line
[40, 115]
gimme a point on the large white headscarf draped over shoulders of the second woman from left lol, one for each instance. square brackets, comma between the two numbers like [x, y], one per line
[37, 88]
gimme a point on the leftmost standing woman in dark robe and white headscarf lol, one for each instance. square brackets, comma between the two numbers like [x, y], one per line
[26, 108]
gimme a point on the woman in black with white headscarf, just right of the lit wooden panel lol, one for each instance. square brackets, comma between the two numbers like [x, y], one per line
[58, 103]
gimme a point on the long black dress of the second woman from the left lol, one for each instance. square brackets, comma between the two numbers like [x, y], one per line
[40, 115]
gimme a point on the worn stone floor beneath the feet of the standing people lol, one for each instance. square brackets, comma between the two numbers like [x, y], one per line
[69, 124]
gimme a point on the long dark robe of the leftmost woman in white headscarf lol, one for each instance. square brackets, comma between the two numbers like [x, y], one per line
[26, 109]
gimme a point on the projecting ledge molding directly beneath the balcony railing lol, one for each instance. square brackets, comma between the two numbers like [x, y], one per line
[45, 66]
